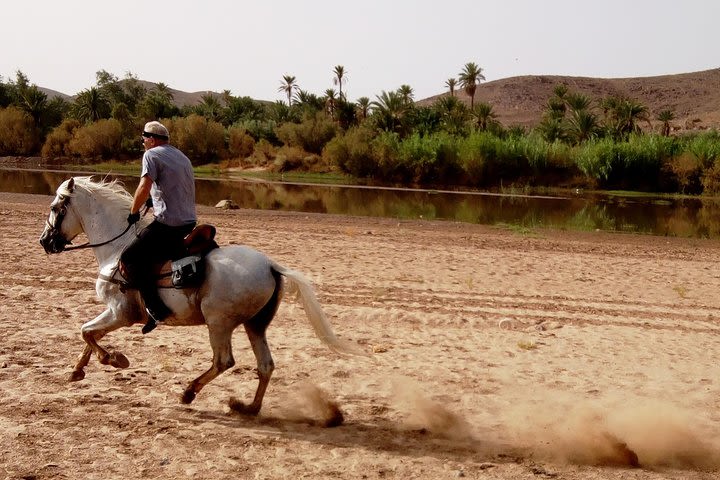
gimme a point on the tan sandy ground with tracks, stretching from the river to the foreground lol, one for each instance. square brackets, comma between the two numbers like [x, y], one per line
[496, 354]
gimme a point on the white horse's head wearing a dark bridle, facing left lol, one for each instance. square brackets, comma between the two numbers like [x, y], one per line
[62, 224]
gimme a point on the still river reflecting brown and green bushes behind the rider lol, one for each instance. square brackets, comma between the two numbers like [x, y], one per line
[678, 217]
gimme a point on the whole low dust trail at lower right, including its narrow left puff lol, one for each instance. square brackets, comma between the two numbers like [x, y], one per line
[614, 432]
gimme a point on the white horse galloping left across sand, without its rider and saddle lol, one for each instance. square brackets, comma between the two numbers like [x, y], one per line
[242, 287]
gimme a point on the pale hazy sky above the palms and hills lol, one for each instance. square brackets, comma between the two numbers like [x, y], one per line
[247, 46]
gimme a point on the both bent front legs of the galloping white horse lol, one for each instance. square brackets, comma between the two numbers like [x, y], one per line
[93, 331]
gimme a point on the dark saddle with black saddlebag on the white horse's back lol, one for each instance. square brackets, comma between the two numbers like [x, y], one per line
[186, 269]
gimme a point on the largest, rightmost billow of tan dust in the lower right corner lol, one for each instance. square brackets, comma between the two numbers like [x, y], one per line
[645, 434]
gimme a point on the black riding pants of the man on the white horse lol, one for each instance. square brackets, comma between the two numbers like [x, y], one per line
[154, 245]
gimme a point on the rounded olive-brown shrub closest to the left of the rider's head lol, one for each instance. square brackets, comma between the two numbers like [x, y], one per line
[101, 139]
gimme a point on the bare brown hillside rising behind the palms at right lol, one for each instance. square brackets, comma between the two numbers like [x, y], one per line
[694, 97]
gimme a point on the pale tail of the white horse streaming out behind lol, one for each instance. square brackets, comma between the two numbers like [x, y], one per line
[300, 285]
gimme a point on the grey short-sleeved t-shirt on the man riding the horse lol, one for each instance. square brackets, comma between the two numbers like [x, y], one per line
[173, 189]
